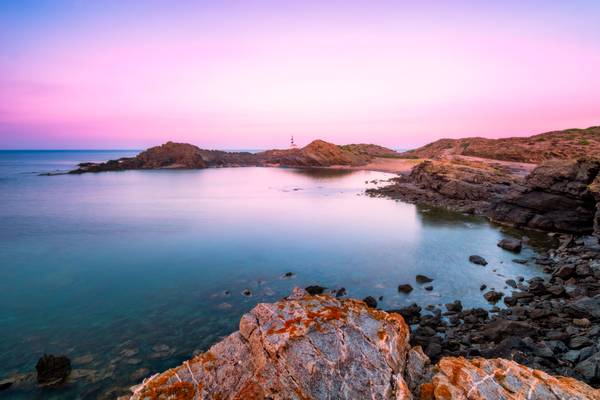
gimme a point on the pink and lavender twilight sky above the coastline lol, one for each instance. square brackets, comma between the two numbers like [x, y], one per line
[249, 74]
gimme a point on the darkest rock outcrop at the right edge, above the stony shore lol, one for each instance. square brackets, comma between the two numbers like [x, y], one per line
[556, 196]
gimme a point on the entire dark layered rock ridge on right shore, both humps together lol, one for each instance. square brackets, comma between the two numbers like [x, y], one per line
[557, 196]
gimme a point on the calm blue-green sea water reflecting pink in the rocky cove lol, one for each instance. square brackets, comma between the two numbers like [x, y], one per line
[129, 273]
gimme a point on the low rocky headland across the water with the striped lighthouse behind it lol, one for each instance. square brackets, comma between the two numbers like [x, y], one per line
[182, 155]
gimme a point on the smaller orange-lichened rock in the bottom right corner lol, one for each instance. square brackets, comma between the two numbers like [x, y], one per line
[495, 379]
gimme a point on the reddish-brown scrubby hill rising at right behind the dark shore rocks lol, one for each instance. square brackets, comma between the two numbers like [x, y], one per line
[567, 144]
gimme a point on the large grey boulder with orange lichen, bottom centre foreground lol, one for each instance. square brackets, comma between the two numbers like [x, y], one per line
[304, 347]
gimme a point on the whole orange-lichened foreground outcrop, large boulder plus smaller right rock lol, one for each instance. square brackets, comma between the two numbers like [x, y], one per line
[319, 347]
